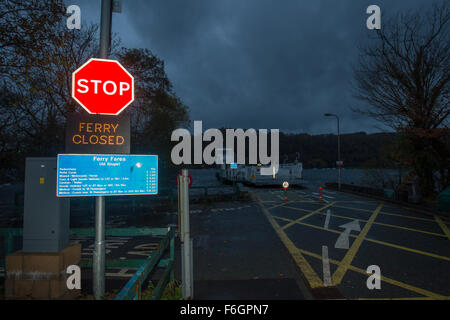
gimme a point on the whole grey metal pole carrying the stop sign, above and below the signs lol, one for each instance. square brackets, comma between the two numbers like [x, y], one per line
[99, 250]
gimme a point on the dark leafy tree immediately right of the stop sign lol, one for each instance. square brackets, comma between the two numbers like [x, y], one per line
[156, 111]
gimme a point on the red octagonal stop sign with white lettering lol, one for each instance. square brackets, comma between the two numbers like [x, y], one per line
[103, 86]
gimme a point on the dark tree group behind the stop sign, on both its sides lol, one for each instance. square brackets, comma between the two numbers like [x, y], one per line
[38, 54]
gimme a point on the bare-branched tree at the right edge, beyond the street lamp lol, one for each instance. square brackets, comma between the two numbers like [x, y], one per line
[403, 76]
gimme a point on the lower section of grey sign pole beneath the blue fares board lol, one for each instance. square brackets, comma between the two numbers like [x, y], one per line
[99, 250]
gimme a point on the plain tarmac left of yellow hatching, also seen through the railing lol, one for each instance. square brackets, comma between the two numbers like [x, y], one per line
[236, 255]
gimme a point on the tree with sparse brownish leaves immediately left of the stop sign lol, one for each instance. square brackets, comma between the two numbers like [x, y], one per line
[41, 87]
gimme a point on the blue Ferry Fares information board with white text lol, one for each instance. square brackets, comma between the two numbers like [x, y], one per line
[82, 175]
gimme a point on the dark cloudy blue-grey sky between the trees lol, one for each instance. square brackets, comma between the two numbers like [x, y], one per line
[274, 64]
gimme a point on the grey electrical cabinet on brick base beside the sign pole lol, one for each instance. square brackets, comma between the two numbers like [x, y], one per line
[46, 217]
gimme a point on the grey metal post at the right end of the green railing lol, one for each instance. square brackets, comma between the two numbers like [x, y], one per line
[187, 246]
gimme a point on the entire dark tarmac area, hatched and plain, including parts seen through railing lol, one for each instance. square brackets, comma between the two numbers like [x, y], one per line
[284, 245]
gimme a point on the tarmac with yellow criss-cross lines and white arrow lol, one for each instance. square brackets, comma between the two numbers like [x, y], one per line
[411, 248]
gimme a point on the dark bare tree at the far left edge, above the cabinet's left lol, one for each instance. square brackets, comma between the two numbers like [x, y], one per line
[25, 27]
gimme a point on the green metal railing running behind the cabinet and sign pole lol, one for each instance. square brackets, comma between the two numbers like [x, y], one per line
[132, 290]
